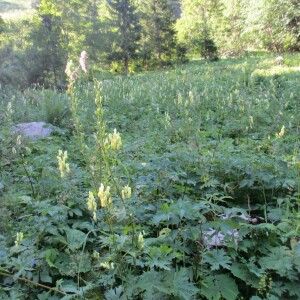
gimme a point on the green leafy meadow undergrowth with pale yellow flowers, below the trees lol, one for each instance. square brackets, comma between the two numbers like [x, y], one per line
[199, 193]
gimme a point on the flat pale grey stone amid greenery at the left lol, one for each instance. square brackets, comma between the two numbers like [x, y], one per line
[34, 130]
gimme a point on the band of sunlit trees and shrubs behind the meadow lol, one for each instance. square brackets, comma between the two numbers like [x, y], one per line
[129, 36]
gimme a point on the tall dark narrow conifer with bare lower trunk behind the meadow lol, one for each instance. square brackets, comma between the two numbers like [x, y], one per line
[126, 31]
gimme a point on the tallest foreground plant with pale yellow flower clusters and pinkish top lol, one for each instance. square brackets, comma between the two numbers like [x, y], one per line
[101, 156]
